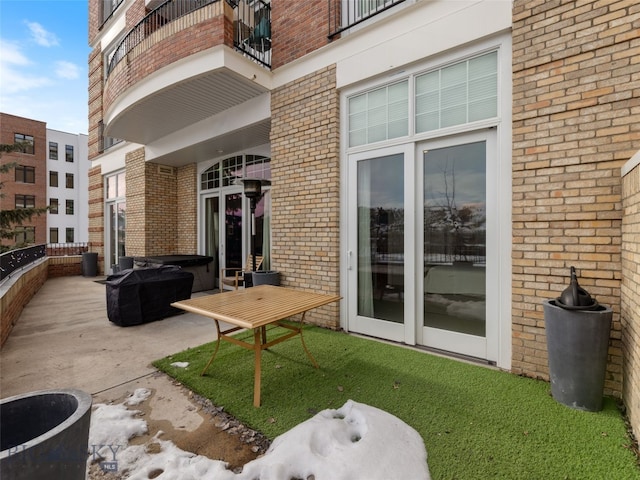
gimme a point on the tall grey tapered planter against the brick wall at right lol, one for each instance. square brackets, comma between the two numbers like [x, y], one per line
[577, 345]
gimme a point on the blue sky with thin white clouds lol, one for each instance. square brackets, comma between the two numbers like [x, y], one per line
[44, 51]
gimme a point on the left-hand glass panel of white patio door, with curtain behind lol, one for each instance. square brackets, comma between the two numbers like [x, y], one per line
[379, 275]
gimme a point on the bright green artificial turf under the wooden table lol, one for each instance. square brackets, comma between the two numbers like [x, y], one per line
[476, 422]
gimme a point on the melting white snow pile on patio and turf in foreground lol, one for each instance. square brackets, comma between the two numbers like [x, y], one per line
[356, 441]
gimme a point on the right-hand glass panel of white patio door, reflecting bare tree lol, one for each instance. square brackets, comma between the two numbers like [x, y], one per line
[454, 255]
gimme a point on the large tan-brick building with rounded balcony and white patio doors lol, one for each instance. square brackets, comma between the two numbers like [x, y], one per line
[438, 164]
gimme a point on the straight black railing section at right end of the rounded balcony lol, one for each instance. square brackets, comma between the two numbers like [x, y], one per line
[252, 29]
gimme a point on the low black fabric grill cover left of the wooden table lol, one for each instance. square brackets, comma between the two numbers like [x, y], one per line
[144, 295]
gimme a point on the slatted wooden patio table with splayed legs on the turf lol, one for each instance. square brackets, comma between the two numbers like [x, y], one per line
[254, 308]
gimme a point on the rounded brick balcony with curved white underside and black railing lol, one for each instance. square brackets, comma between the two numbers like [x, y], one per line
[192, 80]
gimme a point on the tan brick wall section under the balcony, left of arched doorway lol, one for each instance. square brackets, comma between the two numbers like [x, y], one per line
[151, 226]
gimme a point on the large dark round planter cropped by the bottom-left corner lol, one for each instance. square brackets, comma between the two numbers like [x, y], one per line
[45, 435]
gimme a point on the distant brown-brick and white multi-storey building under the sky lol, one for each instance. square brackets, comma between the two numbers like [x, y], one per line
[51, 171]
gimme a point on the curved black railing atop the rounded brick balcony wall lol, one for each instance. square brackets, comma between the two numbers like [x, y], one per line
[159, 17]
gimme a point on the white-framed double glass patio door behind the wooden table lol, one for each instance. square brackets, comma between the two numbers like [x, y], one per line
[422, 244]
